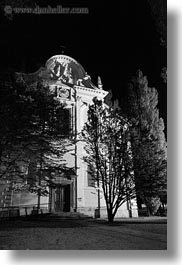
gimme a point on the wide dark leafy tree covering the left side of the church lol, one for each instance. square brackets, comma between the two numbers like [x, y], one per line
[33, 138]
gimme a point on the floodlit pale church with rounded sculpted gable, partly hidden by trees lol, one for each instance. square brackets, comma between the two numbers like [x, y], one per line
[75, 191]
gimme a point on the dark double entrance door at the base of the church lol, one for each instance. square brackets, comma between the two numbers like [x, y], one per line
[62, 198]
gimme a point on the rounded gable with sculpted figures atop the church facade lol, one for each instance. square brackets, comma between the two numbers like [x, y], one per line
[68, 70]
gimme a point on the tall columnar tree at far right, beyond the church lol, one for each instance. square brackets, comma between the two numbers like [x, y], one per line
[147, 139]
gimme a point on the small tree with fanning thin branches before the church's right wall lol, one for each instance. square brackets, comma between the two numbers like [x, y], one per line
[106, 137]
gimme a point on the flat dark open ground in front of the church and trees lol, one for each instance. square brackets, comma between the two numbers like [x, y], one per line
[126, 234]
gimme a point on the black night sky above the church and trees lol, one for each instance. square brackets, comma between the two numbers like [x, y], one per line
[112, 41]
